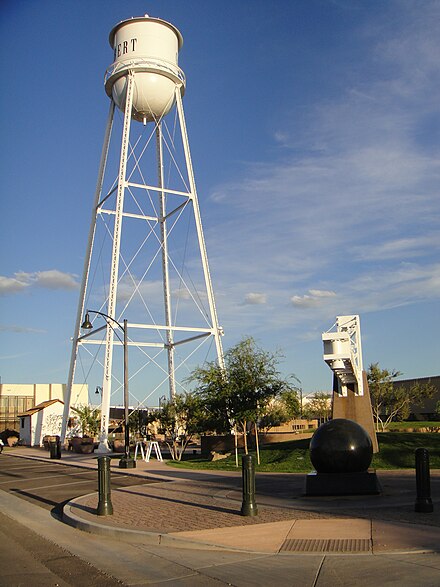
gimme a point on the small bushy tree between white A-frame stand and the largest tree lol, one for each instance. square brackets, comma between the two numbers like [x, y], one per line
[179, 419]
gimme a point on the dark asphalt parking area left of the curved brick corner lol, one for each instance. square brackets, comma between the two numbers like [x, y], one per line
[51, 485]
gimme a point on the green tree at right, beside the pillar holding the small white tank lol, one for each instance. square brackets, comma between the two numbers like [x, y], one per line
[391, 401]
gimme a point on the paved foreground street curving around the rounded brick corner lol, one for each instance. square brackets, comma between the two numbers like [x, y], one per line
[137, 563]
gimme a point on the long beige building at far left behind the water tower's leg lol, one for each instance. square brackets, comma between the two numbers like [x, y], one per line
[17, 398]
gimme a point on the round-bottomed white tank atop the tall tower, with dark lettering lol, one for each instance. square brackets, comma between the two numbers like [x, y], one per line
[149, 47]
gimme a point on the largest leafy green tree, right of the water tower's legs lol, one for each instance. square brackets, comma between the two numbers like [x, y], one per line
[239, 395]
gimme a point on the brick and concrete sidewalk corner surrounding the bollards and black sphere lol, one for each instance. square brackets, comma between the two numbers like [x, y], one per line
[201, 510]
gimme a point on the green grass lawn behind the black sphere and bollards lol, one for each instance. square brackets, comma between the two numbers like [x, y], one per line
[396, 452]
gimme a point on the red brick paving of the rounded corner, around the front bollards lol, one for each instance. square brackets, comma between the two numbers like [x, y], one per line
[186, 505]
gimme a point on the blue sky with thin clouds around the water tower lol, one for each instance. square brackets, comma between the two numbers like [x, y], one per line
[315, 134]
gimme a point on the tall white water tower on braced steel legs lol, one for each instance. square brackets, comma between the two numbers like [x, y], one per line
[146, 262]
